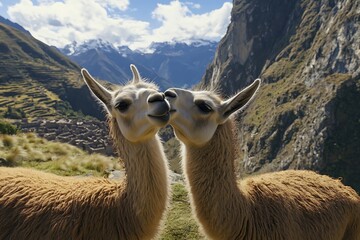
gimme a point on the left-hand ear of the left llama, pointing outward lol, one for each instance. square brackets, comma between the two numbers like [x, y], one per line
[103, 94]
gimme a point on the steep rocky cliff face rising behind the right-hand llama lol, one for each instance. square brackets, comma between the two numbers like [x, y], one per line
[307, 113]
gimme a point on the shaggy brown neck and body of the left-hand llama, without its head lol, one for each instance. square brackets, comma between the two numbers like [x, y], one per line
[37, 205]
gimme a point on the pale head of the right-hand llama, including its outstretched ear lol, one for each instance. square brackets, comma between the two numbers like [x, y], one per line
[195, 115]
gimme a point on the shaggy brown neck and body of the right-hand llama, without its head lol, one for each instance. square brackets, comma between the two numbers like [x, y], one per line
[285, 205]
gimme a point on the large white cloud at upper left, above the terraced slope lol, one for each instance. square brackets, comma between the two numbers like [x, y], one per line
[59, 23]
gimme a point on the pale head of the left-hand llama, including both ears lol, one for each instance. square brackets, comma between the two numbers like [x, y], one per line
[139, 108]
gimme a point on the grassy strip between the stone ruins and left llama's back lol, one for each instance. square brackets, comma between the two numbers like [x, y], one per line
[28, 150]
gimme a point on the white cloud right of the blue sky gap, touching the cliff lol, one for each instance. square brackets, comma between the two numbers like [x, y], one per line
[180, 24]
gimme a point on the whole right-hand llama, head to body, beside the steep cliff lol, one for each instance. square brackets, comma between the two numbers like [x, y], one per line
[283, 205]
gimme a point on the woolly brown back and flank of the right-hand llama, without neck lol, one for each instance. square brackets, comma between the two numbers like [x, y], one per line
[303, 203]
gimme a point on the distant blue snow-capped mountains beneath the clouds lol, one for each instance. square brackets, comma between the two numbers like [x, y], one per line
[170, 64]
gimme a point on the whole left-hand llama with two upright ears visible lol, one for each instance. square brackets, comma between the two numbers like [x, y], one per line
[37, 205]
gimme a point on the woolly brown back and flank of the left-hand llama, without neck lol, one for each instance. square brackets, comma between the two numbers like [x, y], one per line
[34, 204]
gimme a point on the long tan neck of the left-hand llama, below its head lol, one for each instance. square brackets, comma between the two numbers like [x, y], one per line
[146, 168]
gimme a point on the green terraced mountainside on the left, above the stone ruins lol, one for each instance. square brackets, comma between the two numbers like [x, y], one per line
[36, 80]
